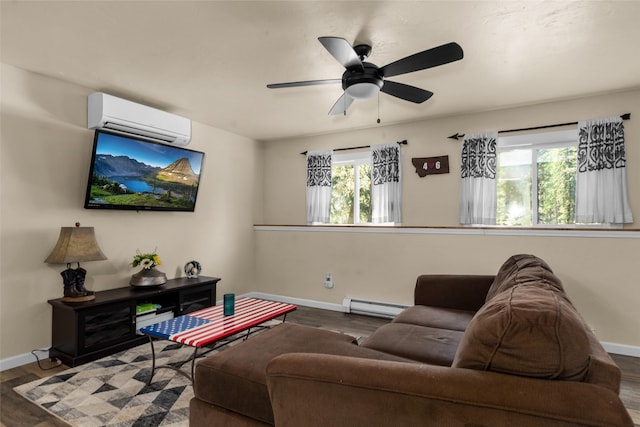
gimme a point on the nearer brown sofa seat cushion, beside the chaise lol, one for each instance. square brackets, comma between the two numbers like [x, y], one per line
[424, 344]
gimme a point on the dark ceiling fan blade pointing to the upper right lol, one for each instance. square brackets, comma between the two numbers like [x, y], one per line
[422, 60]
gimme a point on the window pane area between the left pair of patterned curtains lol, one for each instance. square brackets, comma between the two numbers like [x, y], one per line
[351, 188]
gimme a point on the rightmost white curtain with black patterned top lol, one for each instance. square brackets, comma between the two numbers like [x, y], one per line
[601, 181]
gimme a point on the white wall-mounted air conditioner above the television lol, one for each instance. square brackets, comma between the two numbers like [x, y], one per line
[126, 117]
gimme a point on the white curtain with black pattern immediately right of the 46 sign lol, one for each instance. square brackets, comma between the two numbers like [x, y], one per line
[478, 173]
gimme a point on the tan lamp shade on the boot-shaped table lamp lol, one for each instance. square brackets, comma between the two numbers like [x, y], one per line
[75, 244]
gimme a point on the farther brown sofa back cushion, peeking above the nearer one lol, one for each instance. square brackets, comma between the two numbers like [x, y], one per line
[521, 269]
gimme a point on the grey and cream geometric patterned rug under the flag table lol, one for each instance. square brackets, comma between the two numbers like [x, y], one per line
[112, 391]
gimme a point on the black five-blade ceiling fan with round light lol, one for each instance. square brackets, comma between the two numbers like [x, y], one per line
[363, 80]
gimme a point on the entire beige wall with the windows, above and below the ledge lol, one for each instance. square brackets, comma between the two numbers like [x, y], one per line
[601, 274]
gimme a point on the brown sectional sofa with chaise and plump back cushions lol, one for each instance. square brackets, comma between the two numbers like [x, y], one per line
[500, 350]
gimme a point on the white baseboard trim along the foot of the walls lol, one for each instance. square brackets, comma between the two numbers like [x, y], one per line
[26, 358]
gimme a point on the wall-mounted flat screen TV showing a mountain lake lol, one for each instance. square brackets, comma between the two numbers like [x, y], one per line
[136, 174]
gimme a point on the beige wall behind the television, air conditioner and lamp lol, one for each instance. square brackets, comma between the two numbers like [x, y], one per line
[45, 155]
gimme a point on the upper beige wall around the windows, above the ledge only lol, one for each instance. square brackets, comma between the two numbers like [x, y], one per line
[433, 200]
